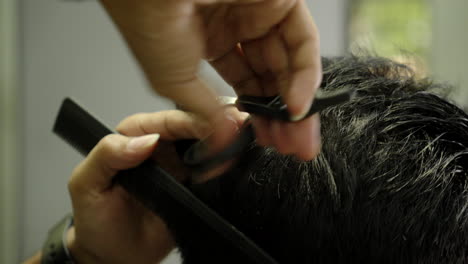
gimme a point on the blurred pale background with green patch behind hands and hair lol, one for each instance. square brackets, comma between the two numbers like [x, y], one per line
[50, 49]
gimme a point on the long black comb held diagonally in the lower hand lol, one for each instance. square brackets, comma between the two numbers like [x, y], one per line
[149, 183]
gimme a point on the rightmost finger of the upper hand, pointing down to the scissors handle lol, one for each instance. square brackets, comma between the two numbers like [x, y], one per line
[302, 41]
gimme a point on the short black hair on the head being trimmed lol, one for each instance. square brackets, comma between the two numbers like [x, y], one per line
[389, 186]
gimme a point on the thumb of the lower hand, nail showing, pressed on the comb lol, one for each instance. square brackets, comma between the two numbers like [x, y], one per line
[111, 154]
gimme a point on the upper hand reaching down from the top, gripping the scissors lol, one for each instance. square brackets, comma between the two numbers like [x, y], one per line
[260, 47]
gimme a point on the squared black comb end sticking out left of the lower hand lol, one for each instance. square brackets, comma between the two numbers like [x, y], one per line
[78, 127]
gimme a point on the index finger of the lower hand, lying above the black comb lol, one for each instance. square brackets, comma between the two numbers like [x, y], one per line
[171, 125]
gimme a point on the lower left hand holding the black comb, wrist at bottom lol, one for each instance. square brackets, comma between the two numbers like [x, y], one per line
[111, 226]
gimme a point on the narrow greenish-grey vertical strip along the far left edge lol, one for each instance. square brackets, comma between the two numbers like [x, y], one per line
[9, 180]
